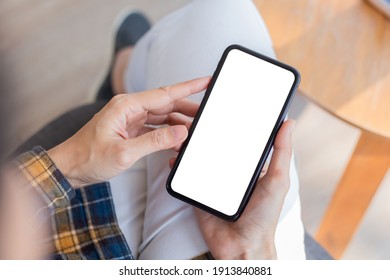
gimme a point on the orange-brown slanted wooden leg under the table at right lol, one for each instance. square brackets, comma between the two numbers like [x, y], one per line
[363, 175]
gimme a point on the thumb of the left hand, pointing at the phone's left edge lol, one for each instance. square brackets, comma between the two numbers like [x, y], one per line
[157, 140]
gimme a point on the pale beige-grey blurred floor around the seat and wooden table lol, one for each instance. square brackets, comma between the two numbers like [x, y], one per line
[56, 53]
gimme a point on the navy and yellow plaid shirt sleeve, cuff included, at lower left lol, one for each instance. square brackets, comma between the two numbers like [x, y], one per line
[84, 220]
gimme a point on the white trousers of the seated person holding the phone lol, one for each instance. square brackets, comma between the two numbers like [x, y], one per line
[184, 45]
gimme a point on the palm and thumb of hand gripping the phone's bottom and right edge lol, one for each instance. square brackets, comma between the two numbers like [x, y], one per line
[253, 235]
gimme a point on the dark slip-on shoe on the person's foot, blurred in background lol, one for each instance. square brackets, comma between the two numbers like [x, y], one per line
[132, 28]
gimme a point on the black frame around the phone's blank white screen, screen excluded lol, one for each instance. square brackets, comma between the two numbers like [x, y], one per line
[266, 151]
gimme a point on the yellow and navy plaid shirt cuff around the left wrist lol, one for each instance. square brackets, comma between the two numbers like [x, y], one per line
[42, 174]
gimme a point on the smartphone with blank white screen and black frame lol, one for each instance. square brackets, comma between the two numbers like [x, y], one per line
[233, 131]
